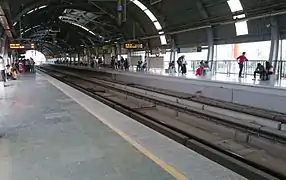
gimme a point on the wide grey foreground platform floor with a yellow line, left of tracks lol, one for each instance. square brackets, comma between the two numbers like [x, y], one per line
[50, 130]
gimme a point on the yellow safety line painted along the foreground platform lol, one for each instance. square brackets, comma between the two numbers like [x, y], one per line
[168, 168]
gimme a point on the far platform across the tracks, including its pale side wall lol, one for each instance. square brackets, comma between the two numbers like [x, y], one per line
[264, 96]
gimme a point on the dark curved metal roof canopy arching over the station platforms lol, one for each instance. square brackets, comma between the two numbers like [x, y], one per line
[184, 20]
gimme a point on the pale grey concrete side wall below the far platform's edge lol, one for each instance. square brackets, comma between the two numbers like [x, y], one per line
[267, 98]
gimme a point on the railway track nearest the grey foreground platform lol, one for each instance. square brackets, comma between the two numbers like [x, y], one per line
[224, 139]
